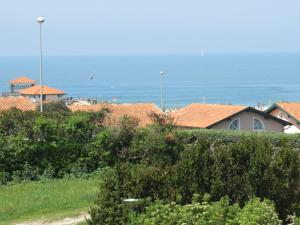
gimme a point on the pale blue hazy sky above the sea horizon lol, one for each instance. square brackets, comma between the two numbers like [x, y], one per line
[101, 27]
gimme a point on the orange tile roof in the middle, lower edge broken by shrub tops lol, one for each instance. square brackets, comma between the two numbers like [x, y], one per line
[140, 111]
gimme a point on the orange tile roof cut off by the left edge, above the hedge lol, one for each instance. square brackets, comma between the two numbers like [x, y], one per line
[20, 102]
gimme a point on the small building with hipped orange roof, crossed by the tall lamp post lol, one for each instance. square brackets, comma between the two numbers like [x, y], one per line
[49, 94]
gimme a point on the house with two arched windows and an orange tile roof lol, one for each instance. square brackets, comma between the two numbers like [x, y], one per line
[226, 117]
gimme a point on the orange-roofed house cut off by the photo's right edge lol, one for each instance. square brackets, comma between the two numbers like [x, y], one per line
[289, 111]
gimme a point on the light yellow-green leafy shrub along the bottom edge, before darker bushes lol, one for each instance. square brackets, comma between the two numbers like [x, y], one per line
[254, 212]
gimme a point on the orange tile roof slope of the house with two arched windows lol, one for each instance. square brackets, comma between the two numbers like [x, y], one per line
[203, 115]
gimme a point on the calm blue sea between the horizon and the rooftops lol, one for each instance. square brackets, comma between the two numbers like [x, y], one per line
[224, 78]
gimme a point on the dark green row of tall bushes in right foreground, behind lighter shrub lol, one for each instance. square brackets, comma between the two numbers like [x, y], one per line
[250, 166]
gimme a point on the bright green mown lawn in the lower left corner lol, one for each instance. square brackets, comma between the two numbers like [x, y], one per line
[46, 200]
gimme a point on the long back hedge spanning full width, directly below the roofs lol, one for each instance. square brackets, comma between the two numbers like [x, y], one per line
[61, 142]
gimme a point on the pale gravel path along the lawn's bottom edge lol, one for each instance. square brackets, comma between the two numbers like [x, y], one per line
[65, 221]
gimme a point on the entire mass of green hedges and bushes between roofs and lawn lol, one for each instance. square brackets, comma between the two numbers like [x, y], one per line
[163, 167]
